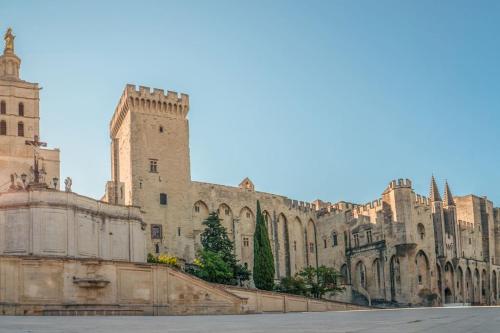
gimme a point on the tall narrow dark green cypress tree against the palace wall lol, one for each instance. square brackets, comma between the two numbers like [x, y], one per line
[263, 262]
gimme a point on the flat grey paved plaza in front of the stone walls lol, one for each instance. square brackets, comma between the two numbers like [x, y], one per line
[456, 320]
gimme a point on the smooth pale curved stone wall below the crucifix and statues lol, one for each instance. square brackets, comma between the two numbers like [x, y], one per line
[54, 223]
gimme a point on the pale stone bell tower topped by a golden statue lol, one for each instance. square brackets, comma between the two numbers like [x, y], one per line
[20, 146]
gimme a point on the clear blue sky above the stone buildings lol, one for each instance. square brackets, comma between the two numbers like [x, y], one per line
[309, 99]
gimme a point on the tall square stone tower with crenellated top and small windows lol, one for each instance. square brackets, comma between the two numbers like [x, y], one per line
[150, 165]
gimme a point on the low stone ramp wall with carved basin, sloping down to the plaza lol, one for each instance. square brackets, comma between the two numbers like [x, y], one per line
[61, 286]
